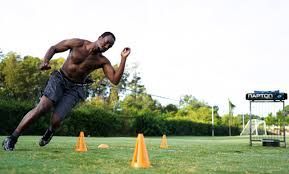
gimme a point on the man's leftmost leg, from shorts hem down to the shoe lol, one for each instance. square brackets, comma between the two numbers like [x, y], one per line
[43, 106]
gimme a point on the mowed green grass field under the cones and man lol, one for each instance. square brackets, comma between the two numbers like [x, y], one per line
[184, 155]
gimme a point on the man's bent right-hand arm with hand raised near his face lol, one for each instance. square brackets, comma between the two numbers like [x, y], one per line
[115, 75]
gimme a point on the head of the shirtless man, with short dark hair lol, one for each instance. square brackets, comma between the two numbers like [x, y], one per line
[105, 41]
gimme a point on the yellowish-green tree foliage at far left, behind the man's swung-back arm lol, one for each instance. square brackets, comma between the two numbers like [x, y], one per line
[21, 77]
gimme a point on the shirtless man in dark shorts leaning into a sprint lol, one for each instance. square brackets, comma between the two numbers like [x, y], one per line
[65, 87]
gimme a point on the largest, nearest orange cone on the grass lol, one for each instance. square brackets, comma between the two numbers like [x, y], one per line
[140, 155]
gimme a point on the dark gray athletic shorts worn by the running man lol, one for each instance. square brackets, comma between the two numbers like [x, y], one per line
[63, 92]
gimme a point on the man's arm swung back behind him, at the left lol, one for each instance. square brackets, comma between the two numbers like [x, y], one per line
[60, 47]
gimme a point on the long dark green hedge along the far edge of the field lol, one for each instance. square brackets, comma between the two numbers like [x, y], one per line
[99, 122]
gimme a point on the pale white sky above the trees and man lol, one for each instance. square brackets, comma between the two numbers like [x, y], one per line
[214, 50]
